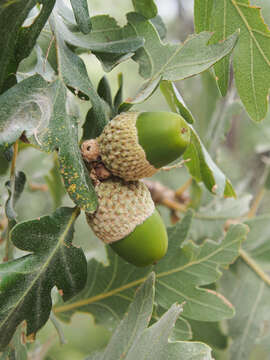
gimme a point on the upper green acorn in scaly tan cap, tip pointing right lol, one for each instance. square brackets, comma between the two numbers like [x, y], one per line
[134, 145]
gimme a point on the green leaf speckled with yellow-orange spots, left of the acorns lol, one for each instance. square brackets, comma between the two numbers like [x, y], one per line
[60, 133]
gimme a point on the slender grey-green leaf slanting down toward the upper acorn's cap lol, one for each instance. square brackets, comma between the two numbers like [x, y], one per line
[74, 74]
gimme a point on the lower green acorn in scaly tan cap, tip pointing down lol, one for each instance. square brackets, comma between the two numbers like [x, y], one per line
[127, 220]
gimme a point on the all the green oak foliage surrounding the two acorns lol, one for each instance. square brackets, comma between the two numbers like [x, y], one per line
[54, 95]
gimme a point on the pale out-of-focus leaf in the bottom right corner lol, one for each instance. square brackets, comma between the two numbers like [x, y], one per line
[250, 296]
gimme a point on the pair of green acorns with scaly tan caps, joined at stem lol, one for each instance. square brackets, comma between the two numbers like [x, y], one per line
[133, 146]
